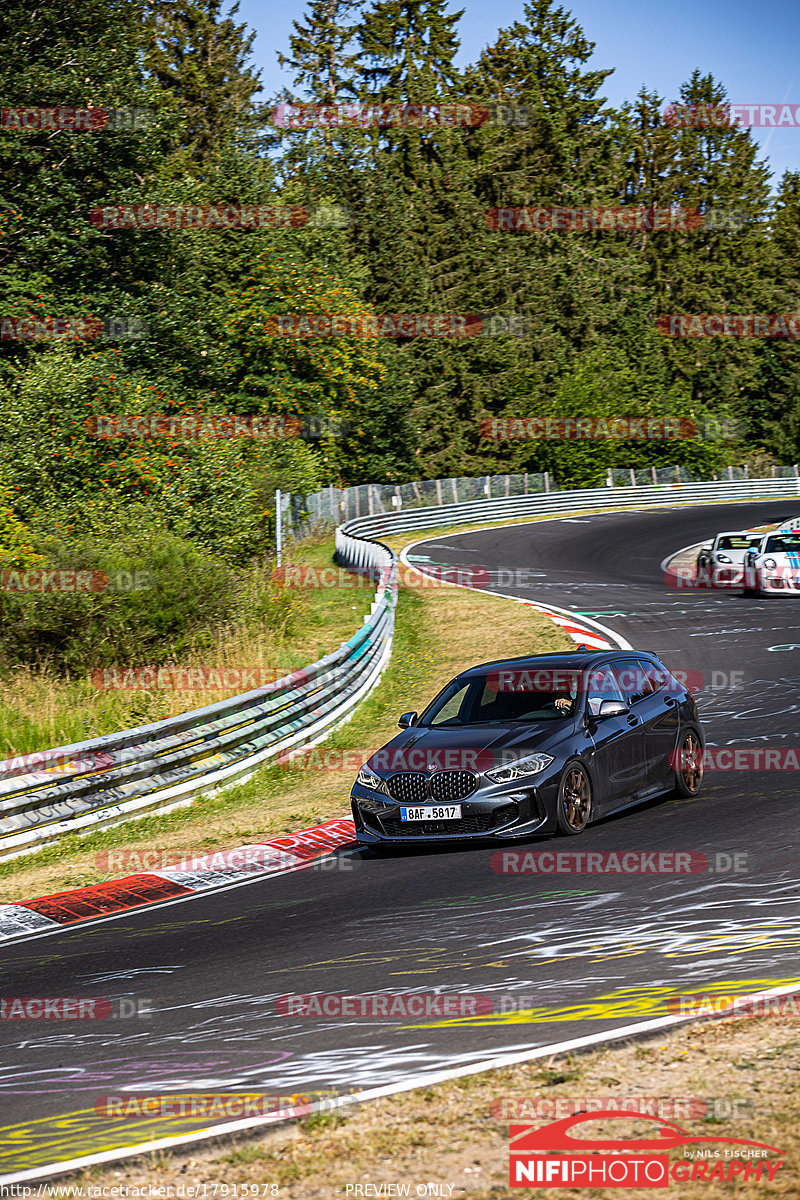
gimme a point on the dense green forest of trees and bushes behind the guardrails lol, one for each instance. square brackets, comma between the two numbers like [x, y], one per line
[418, 242]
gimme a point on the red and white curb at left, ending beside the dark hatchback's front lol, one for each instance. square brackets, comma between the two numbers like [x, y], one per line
[226, 868]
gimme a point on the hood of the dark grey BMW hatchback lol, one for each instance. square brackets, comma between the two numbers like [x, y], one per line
[470, 748]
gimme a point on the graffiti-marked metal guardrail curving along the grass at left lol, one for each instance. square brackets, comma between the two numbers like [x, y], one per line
[159, 767]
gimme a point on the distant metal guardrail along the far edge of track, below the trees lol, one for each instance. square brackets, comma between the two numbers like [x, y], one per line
[586, 500]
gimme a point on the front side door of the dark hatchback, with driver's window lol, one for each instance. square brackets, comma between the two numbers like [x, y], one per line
[618, 743]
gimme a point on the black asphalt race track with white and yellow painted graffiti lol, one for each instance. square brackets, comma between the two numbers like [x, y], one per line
[575, 953]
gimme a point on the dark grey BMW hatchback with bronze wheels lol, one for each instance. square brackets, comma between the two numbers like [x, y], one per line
[540, 745]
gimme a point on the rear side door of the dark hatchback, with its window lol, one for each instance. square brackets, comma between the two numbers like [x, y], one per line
[645, 687]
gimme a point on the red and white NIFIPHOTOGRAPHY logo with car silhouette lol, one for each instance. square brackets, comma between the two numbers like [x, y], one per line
[633, 1162]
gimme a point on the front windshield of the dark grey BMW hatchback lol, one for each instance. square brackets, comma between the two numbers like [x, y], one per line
[506, 697]
